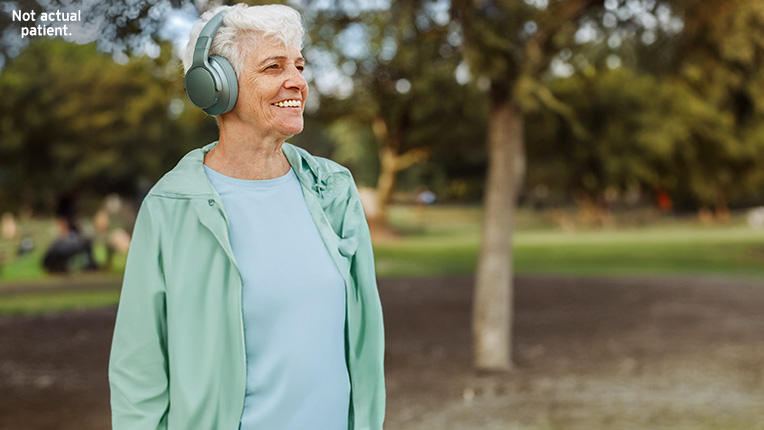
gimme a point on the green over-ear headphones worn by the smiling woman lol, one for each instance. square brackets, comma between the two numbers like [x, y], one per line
[211, 81]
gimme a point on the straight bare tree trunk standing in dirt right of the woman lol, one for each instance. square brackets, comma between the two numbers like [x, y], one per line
[492, 305]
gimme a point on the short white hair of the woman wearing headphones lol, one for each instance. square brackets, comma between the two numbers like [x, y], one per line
[243, 26]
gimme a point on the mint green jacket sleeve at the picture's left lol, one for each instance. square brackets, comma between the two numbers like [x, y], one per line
[138, 374]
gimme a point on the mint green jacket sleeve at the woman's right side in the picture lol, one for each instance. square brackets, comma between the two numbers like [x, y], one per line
[369, 346]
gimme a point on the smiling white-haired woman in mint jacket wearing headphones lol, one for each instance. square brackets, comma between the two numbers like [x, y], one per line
[249, 299]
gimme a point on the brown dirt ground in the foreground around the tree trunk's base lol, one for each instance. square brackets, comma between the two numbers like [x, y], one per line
[591, 354]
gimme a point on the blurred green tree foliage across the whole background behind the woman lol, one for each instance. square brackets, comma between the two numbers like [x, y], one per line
[680, 110]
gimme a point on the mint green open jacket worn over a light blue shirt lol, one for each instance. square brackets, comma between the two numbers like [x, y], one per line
[178, 358]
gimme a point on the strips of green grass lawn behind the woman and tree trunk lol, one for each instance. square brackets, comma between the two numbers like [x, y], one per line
[444, 240]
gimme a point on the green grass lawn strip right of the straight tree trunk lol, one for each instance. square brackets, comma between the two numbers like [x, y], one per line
[680, 250]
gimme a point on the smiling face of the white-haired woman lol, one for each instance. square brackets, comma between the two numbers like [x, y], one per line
[272, 90]
